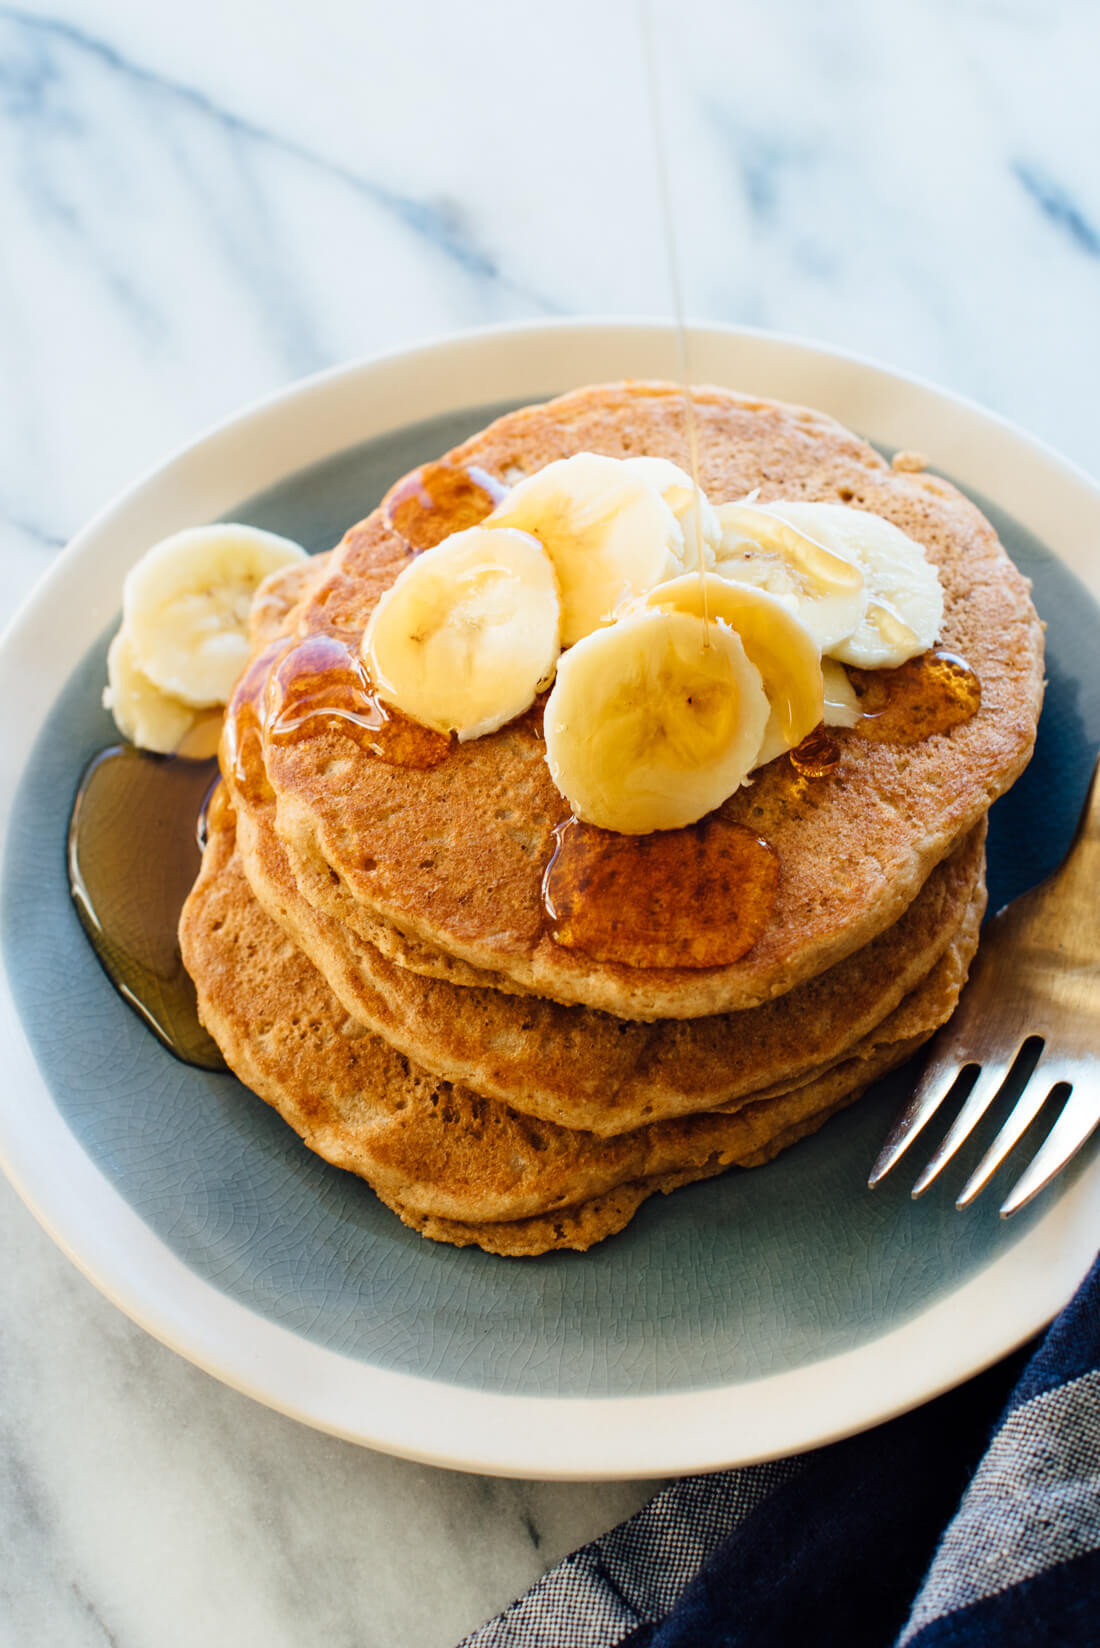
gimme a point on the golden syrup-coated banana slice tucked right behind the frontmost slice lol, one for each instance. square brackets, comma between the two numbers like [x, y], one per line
[776, 642]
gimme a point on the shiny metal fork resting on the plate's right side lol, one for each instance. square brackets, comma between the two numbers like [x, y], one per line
[1037, 976]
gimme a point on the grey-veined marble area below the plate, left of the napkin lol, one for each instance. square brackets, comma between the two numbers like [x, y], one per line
[146, 1504]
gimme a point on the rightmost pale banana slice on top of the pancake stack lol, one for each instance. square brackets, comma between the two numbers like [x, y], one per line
[905, 594]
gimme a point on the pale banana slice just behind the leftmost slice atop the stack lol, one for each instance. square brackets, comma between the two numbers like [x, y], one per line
[608, 531]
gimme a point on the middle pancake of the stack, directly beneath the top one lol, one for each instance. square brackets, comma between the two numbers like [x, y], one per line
[586, 1069]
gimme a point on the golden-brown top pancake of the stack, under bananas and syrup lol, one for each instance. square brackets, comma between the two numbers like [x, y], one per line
[453, 858]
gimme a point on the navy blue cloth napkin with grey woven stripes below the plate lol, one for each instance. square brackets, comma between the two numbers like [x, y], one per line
[974, 1520]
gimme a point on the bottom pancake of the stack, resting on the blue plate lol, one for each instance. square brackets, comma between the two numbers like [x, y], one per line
[461, 1168]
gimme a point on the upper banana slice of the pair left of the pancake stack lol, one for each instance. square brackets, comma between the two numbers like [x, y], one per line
[186, 607]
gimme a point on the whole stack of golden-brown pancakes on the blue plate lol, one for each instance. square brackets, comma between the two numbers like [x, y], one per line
[372, 948]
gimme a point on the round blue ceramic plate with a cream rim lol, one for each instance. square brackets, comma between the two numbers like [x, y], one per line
[738, 1319]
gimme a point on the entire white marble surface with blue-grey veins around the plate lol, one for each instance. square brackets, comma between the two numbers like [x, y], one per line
[202, 204]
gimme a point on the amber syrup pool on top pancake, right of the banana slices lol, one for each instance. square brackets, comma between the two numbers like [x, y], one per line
[926, 696]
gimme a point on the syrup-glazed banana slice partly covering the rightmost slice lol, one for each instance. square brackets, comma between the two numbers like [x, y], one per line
[768, 551]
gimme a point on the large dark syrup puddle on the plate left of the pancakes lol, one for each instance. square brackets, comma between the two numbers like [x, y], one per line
[133, 861]
